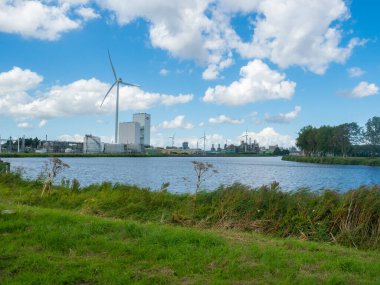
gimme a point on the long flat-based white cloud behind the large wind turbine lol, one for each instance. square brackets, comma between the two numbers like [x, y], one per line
[77, 98]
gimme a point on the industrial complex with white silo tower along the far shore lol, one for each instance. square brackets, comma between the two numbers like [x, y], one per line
[133, 138]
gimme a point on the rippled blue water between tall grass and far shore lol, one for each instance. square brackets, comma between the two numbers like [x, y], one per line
[178, 171]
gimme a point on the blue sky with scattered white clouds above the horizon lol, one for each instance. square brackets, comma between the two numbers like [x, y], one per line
[221, 68]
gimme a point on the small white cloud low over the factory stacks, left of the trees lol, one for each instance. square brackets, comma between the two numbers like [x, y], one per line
[268, 136]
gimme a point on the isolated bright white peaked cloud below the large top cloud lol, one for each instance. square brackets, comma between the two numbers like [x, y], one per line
[257, 83]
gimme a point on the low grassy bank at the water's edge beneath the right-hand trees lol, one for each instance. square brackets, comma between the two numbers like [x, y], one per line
[334, 160]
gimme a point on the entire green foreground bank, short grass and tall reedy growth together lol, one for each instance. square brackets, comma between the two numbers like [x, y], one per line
[120, 234]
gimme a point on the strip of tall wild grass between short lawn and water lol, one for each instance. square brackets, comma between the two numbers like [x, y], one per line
[351, 218]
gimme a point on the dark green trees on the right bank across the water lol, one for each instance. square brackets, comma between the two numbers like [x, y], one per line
[347, 139]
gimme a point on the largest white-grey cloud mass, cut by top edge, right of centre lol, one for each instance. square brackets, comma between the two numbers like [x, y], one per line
[296, 32]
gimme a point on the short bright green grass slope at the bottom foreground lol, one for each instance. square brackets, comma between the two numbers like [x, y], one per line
[49, 246]
